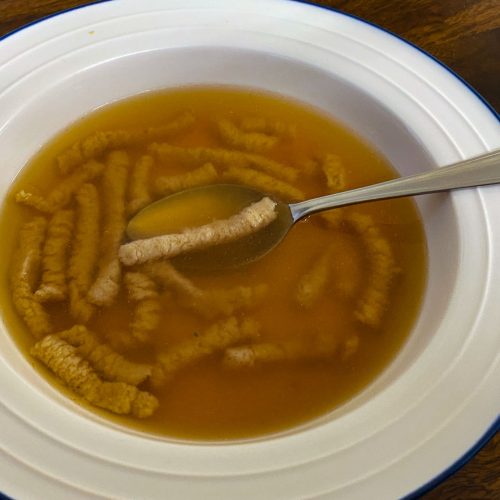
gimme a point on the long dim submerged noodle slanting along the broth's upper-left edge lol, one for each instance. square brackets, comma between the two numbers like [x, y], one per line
[98, 143]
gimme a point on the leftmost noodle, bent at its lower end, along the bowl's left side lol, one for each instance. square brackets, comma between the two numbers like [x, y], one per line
[25, 274]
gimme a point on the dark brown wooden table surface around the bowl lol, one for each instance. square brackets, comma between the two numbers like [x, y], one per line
[465, 35]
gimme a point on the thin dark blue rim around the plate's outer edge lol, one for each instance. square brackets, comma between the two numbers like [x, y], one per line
[495, 427]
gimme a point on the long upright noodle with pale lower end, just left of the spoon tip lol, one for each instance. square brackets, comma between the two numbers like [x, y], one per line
[114, 184]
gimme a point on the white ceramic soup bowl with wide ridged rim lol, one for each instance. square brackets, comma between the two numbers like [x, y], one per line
[435, 401]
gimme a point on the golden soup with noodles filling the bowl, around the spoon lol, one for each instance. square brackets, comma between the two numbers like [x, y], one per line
[216, 354]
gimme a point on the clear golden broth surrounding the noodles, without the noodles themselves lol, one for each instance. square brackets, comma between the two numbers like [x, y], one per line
[206, 399]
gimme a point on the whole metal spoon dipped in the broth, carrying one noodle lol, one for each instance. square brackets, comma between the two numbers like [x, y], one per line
[197, 206]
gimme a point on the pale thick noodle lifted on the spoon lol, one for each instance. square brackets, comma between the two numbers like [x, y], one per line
[250, 220]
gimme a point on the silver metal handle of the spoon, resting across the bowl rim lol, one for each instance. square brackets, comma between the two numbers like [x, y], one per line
[478, 171]
